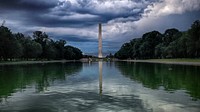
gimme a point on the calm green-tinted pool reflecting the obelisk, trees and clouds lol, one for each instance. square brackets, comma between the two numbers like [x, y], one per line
[100, 87]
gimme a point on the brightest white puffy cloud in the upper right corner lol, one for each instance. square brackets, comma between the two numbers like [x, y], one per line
[167, 7]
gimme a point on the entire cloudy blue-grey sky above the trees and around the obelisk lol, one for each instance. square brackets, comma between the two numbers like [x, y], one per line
[76, 21]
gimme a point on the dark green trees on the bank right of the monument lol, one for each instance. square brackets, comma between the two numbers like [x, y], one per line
[172, 44]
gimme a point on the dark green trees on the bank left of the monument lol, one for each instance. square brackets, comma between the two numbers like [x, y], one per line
[38, 46]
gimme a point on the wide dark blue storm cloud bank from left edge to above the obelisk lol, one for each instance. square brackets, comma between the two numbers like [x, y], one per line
[53, 13]
